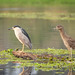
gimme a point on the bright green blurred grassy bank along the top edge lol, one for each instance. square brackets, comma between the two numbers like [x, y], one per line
[23, 3]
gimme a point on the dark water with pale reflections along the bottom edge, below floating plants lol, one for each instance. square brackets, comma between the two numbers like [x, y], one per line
[9, 70]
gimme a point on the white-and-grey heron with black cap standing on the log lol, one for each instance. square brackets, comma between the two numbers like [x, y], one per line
[22, 36]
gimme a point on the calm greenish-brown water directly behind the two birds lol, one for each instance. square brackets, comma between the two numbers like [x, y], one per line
[40, 31]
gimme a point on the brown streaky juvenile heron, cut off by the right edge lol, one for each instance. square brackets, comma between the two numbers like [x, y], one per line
[68, 41]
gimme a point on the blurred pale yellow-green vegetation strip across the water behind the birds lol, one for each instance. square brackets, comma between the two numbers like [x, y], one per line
[40, 15]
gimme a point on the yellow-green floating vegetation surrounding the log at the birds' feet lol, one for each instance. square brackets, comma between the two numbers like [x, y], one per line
[44, 64]
